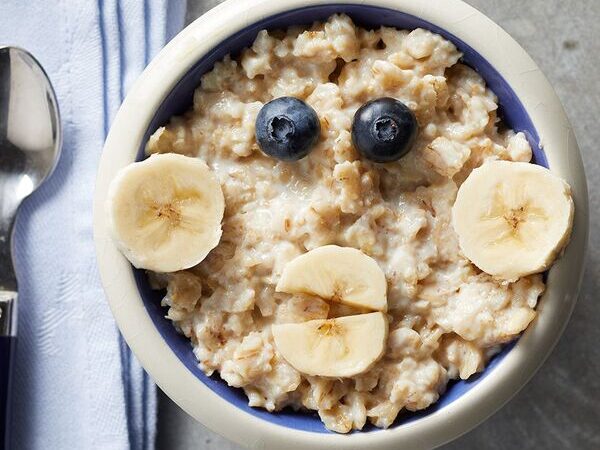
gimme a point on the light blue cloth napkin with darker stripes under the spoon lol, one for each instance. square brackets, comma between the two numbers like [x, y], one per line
[77, 386]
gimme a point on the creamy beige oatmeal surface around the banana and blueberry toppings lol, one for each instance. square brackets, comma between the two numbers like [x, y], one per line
[446, 317]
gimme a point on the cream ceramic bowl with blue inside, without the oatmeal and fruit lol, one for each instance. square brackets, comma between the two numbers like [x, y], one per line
[527, 103]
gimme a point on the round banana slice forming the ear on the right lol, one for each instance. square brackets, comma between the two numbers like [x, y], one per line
[512, 218]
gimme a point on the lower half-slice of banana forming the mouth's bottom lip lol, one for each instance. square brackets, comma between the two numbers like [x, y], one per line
[341, 347]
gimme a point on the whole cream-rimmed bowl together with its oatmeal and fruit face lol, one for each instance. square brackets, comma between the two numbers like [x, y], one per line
[346, 231]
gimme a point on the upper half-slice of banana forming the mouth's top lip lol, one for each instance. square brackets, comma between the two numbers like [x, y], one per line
[341, 274]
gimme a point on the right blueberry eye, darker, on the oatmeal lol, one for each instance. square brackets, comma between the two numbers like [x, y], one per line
[384, 130]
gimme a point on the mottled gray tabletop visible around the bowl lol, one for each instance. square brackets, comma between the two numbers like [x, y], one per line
[560, 407]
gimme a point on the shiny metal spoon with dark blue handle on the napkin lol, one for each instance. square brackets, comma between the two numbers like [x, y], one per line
[30, 143]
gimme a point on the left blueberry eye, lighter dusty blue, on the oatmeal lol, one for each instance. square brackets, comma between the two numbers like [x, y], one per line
[287, 129]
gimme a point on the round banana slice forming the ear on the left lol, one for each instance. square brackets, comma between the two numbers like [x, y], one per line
[165, 212]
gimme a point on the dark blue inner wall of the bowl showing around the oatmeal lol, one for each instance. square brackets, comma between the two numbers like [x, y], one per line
[511, 111]
